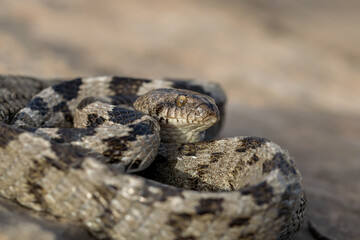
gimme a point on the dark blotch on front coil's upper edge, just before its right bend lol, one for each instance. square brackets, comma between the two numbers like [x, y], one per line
[262, 193]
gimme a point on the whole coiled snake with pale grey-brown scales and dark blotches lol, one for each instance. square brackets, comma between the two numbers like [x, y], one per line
[133, 158]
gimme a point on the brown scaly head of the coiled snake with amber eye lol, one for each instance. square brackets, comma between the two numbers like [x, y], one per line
[183, 115]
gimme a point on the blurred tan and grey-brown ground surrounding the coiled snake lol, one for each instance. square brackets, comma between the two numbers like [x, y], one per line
[291, 71]
